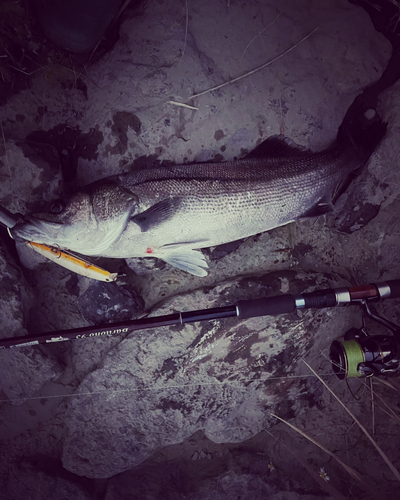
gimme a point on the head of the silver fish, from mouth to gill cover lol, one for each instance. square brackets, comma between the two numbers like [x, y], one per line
[88, 223]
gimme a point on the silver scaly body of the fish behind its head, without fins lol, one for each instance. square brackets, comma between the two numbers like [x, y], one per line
[222, 202]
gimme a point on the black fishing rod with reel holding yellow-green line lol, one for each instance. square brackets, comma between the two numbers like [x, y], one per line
[357, 355]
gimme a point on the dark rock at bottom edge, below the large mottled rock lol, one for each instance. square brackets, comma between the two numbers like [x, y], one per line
[248, 476]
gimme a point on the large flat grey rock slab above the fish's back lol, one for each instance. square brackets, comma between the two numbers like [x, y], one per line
[126, 111]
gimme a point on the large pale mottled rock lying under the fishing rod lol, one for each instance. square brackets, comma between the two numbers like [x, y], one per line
[159, 386]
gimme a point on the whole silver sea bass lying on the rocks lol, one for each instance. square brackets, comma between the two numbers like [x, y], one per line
[171, 212]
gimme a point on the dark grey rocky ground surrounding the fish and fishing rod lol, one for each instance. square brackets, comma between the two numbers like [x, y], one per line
[187, 412]
